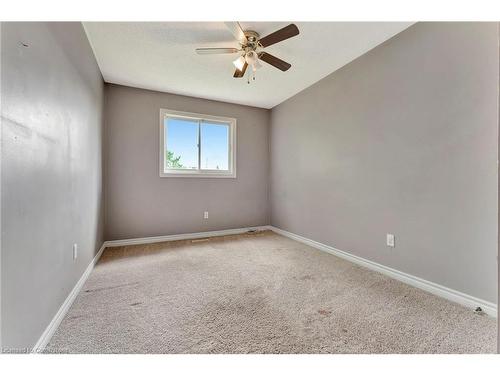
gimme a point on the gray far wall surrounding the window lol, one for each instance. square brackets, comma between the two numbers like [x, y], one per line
[139, 203]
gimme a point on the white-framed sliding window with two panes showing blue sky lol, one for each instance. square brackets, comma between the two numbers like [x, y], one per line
[193, 145]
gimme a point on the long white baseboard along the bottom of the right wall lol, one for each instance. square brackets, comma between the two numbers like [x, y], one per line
[436, 289]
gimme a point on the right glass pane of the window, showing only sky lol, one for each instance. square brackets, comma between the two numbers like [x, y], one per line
[214, 146]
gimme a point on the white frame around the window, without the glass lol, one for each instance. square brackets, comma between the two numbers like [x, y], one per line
[202, 173]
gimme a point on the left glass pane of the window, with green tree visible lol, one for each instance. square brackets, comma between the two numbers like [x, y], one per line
[182, 144]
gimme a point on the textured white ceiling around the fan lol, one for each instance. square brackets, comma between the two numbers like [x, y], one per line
[161, 56]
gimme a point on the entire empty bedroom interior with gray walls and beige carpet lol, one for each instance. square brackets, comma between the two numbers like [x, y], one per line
[234, 187]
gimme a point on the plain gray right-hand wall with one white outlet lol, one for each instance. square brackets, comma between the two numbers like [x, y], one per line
[403, 140]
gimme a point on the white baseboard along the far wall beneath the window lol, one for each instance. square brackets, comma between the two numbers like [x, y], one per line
[177, 237]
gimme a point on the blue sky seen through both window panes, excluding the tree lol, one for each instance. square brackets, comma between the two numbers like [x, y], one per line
[182, 140]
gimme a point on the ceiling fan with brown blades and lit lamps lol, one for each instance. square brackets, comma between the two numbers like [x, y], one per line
[251, 48]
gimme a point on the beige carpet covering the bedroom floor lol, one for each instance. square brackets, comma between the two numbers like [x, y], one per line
[258, 293]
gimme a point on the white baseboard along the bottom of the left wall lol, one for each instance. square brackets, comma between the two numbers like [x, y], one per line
[52, 327]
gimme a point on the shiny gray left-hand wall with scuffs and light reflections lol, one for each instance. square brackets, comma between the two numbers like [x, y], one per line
[52, 100]
